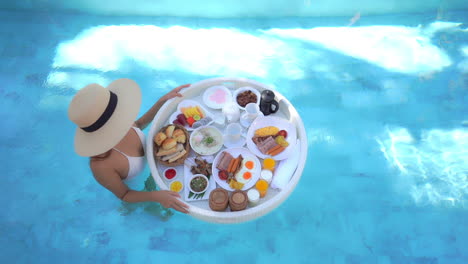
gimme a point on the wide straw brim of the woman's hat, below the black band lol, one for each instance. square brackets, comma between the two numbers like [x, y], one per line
[105, 138]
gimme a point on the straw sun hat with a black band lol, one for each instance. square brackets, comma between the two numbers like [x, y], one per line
[103, 115]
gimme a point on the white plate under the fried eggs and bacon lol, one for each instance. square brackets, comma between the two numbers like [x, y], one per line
[235, 152]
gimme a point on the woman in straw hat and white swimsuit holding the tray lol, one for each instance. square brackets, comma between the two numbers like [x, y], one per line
[108, 133]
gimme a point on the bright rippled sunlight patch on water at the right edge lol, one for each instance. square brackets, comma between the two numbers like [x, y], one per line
[435, 168]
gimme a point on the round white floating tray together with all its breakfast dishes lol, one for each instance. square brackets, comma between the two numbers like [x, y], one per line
[228, 183]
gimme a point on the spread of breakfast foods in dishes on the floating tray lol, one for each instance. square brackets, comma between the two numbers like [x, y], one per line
[239, 180]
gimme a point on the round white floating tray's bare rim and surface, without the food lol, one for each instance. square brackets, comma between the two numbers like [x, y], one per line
[200, 208]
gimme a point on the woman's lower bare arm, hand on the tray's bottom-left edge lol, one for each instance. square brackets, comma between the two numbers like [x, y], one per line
[110, 179]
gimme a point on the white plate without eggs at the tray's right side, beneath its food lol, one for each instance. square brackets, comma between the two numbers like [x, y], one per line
[282, 124]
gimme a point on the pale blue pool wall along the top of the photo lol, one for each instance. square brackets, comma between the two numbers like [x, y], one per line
[237, 8]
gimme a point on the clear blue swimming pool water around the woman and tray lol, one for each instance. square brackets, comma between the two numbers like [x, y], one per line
[384, 102]
